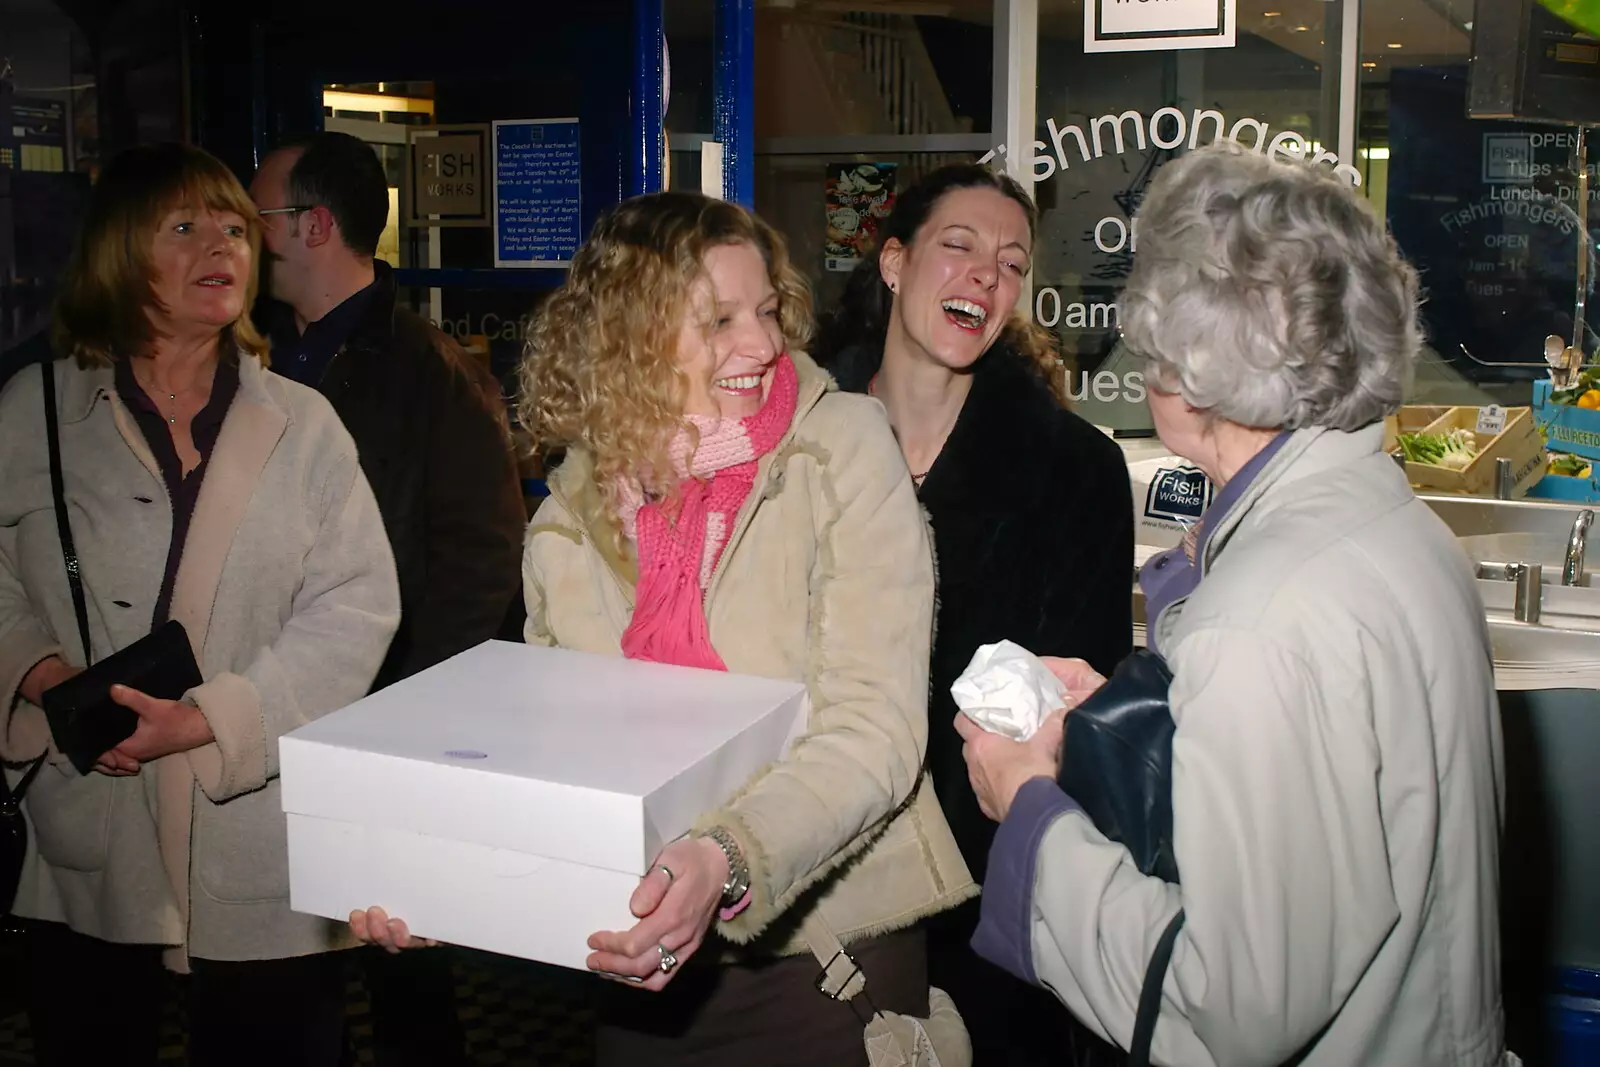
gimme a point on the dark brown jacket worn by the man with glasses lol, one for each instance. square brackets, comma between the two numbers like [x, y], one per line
[431, 431]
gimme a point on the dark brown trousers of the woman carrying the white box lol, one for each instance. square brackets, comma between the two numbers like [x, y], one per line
[769, 1015]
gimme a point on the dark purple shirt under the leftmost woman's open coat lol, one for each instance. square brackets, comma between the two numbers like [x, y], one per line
[182, 490]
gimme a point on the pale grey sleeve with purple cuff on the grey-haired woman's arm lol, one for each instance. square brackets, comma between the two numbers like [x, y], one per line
[1281, 844]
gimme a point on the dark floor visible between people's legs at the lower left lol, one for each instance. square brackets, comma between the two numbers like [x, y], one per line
[514, 1017]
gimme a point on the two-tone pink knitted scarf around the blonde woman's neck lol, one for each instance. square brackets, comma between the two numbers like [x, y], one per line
[679, 554]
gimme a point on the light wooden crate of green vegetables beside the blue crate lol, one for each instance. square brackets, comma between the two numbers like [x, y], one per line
[1452, 457]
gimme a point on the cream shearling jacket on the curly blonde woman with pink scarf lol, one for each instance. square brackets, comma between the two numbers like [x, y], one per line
[828, 580]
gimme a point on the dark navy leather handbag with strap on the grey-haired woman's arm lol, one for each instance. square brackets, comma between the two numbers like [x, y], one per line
[1118, 765]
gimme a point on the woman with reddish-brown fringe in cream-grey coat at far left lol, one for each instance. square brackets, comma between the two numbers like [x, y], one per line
[201, 489]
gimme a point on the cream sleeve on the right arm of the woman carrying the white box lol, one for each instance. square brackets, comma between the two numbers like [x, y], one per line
[871, 631]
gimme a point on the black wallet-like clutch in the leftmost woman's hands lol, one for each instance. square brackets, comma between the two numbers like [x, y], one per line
[87, 724]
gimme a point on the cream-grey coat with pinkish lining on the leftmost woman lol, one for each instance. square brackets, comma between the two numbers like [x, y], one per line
[287, 589]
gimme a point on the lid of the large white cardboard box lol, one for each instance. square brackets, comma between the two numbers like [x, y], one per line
[570, 756]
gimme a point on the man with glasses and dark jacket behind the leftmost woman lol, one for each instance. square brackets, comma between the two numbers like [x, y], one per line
[430, 425]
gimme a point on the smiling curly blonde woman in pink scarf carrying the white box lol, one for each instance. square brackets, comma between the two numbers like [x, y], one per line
[724, 506]
